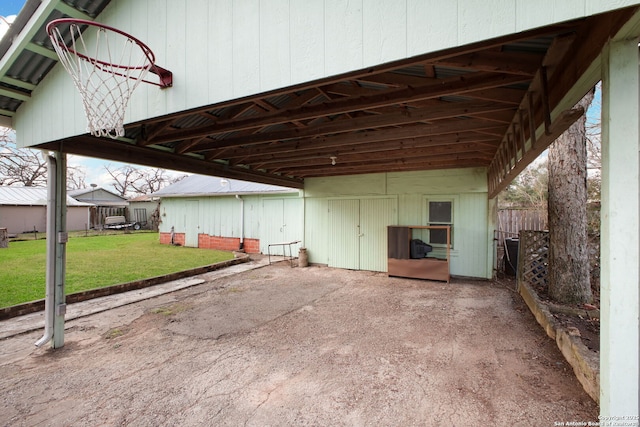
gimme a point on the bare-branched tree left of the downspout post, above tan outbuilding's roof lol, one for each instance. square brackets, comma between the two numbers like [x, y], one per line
[20, 166]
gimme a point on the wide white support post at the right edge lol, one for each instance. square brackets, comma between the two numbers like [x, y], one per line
[620, 233]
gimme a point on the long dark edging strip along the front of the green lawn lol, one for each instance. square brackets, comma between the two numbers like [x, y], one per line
[35, 306]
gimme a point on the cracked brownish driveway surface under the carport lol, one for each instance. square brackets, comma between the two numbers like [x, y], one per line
[299, 346]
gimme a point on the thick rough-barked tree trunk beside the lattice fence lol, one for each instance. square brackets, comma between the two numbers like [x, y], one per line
[569, 278]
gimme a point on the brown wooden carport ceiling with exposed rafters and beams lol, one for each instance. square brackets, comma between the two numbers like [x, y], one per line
[472, 106]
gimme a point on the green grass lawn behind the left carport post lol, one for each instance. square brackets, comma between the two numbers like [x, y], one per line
[95, 262]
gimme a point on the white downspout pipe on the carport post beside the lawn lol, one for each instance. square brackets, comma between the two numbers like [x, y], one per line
[49, 304]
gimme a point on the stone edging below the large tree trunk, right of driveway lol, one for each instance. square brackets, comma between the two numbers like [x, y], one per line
[585, 364]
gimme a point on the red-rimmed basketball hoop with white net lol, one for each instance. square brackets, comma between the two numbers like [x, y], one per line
[106, 66]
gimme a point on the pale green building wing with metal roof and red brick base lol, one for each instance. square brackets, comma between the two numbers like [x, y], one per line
[228, 214]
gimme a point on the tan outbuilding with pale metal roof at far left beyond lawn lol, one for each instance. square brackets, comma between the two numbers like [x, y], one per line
[24, 209]
